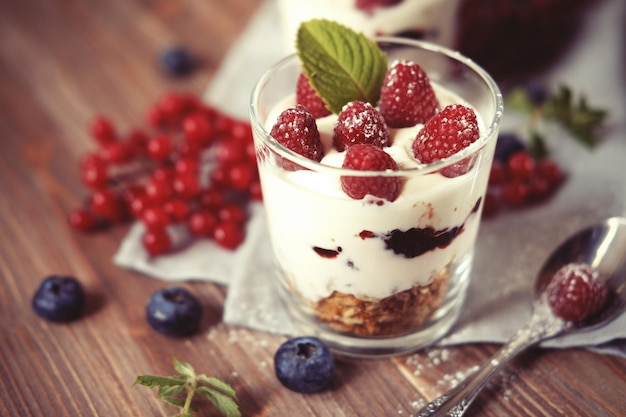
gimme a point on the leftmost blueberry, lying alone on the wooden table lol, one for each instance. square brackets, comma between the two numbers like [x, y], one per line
[59, 299]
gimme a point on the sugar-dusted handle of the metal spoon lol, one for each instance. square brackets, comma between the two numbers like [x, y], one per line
[455, 402]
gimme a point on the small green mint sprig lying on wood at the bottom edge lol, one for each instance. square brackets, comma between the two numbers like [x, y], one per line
[179, 390]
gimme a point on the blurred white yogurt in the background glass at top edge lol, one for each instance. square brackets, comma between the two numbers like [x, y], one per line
[434, 18]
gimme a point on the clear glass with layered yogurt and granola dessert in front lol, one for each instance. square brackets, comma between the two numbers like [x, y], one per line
[370, 276]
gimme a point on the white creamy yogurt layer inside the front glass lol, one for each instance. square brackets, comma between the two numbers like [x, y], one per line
[308, 209]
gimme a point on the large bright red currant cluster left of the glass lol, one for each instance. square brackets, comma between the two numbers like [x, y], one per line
[193, 166]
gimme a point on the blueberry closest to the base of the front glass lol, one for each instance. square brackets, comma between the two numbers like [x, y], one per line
[304, 364]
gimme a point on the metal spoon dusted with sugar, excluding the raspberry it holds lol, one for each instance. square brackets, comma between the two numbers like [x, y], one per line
[603, 247]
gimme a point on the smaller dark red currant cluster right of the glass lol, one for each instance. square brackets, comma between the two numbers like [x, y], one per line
[519, 181]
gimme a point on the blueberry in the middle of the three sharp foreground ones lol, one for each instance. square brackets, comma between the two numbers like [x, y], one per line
[174, 311]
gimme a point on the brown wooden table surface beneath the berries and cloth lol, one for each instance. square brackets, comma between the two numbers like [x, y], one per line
[61, 63]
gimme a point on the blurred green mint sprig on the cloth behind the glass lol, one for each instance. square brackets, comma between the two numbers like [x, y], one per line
[582, 121]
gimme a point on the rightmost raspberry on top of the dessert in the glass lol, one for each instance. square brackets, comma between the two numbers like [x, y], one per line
[446, 133]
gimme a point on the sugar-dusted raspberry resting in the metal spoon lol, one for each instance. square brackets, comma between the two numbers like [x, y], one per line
[576, 292]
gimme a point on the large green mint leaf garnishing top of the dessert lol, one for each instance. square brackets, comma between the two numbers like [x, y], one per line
[342, 65]
